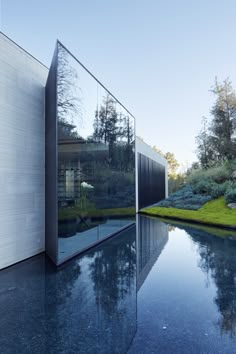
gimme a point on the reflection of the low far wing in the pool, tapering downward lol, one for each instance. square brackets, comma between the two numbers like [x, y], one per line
[152, 237]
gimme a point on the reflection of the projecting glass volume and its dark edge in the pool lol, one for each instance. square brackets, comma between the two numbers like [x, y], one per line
[90, 303]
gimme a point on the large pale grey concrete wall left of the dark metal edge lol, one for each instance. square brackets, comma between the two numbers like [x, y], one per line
[22, 150]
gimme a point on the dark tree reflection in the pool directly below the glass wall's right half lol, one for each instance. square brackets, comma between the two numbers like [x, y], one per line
[113, 272]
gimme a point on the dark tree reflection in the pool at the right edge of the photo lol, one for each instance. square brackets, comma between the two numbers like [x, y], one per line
[218, 261]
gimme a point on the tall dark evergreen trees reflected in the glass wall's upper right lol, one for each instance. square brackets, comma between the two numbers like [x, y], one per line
[116, 130]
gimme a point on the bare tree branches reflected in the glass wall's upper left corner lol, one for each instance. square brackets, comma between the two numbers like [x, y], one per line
[68, 102]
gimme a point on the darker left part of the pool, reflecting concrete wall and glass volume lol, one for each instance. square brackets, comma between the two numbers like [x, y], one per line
[87, 306]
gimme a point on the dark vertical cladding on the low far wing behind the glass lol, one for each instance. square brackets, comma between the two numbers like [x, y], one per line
[151, 181]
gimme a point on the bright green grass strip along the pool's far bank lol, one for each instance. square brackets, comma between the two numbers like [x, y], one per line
[214, 212]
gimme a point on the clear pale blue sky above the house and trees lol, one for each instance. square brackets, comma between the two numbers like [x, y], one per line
[158, 57]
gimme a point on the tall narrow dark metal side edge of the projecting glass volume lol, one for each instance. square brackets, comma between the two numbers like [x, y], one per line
[51, 161]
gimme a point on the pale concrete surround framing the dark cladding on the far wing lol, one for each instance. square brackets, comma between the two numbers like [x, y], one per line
[146, 150]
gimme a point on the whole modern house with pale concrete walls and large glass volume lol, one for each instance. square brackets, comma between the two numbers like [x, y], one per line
[72, 172]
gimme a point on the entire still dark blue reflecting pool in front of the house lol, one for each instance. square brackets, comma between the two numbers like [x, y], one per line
[155, 288]
